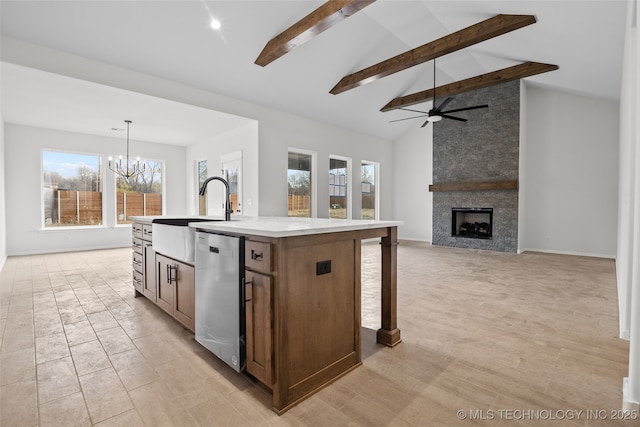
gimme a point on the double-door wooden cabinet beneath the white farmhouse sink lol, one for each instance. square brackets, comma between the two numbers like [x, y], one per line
[175, 292]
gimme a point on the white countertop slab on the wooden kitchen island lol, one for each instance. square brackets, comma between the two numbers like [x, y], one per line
[287, 226]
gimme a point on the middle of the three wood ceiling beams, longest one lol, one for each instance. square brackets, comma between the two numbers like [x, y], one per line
[485, 30]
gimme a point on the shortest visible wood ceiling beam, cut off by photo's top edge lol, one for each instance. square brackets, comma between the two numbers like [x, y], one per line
[321, 19]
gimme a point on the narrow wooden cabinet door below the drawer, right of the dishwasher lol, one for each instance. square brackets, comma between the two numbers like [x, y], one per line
[259, 327]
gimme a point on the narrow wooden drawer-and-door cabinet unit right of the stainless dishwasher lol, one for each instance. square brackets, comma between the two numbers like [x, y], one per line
[259, 310]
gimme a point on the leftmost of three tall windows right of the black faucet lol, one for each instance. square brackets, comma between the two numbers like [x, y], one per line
[299, 183]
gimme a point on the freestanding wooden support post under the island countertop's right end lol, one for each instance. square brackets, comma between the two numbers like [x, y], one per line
[389, 334]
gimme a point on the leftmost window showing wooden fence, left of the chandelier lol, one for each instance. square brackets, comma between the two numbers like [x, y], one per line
[72, 189]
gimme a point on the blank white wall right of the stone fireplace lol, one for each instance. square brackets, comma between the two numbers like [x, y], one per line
[570, 178]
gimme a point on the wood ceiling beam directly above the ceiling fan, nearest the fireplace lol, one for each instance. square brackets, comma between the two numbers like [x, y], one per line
[516, 72]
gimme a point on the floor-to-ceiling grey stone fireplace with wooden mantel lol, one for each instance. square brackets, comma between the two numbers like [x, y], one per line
[475, 171]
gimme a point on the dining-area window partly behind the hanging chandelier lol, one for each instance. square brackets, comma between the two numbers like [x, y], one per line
[140, 195]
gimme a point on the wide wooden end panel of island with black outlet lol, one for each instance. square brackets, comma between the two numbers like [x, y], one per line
[319, 313]
